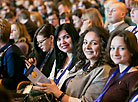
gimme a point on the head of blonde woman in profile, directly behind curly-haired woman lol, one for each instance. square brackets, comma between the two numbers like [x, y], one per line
[91, 17]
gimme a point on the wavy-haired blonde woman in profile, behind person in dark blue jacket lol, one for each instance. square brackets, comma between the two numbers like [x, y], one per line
[21, 37]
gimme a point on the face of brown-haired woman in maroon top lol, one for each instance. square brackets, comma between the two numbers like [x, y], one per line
[119, 52]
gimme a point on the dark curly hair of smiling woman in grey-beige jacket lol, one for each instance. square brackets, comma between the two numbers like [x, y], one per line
[103, 36]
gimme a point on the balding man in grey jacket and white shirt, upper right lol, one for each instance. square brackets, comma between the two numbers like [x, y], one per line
[116, 14]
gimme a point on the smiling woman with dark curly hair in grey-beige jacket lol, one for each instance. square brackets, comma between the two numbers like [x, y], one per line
[88, 76]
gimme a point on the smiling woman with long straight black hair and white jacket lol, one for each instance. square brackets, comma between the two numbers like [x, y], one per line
[65, 45]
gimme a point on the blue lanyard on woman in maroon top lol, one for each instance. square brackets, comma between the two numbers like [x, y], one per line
[98, 99]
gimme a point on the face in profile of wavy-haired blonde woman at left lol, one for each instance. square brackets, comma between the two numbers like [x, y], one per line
[14, 32]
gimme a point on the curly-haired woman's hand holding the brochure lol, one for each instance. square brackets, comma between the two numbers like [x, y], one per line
[48, 88]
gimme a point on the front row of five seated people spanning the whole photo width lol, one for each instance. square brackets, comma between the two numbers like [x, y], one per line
[78, 67]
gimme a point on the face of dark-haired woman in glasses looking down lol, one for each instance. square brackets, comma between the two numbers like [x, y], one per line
[44, 43]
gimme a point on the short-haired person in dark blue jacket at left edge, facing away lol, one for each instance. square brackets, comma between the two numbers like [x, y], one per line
[11, 61]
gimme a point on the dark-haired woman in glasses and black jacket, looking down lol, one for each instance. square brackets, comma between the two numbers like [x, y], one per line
[43, 49]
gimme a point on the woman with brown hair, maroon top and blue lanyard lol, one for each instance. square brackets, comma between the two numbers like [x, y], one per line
[123, 51]
